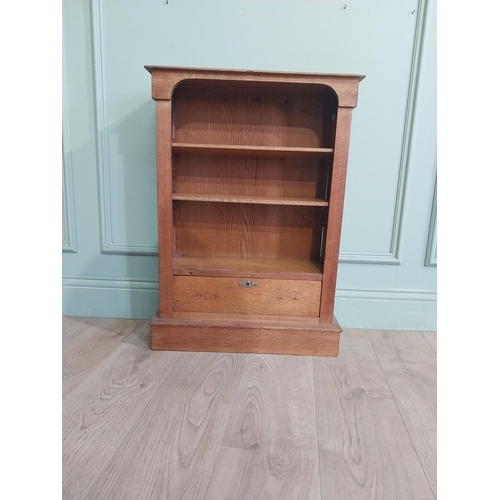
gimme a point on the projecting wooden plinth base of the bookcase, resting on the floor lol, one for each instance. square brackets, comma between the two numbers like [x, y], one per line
[256, 337]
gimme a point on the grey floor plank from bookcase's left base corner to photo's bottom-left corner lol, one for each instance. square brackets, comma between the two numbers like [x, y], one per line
[103, 409]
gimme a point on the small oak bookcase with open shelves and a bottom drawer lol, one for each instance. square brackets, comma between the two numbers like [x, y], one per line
[251, 179]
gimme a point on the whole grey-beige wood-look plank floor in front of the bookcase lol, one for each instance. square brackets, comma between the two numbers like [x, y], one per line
[141, 424]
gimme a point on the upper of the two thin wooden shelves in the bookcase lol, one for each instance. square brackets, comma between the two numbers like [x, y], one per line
[213, 149]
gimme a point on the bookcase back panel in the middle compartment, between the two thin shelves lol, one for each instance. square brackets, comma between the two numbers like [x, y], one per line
[251, 176]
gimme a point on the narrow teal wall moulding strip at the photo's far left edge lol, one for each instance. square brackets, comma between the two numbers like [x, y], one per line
[69, 243]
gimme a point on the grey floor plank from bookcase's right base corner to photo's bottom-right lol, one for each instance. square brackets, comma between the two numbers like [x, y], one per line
[365, 452]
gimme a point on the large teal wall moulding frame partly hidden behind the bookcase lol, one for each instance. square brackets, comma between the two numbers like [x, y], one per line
[103, 156]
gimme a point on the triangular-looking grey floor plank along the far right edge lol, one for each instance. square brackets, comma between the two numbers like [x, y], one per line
[409, 364]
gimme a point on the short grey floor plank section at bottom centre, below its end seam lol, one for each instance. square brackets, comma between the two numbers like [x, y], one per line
[257, 475]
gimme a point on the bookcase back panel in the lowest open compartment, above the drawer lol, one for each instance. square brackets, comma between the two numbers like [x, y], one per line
[203, 229]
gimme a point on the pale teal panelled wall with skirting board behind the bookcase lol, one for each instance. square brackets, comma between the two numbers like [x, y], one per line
[387, 274]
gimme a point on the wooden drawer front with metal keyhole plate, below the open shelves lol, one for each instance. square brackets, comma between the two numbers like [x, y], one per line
[242, 296]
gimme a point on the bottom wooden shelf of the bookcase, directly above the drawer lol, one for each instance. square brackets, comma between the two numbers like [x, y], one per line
[232, 267]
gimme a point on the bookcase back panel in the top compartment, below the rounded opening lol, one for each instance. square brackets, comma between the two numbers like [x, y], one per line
[280, 115]
